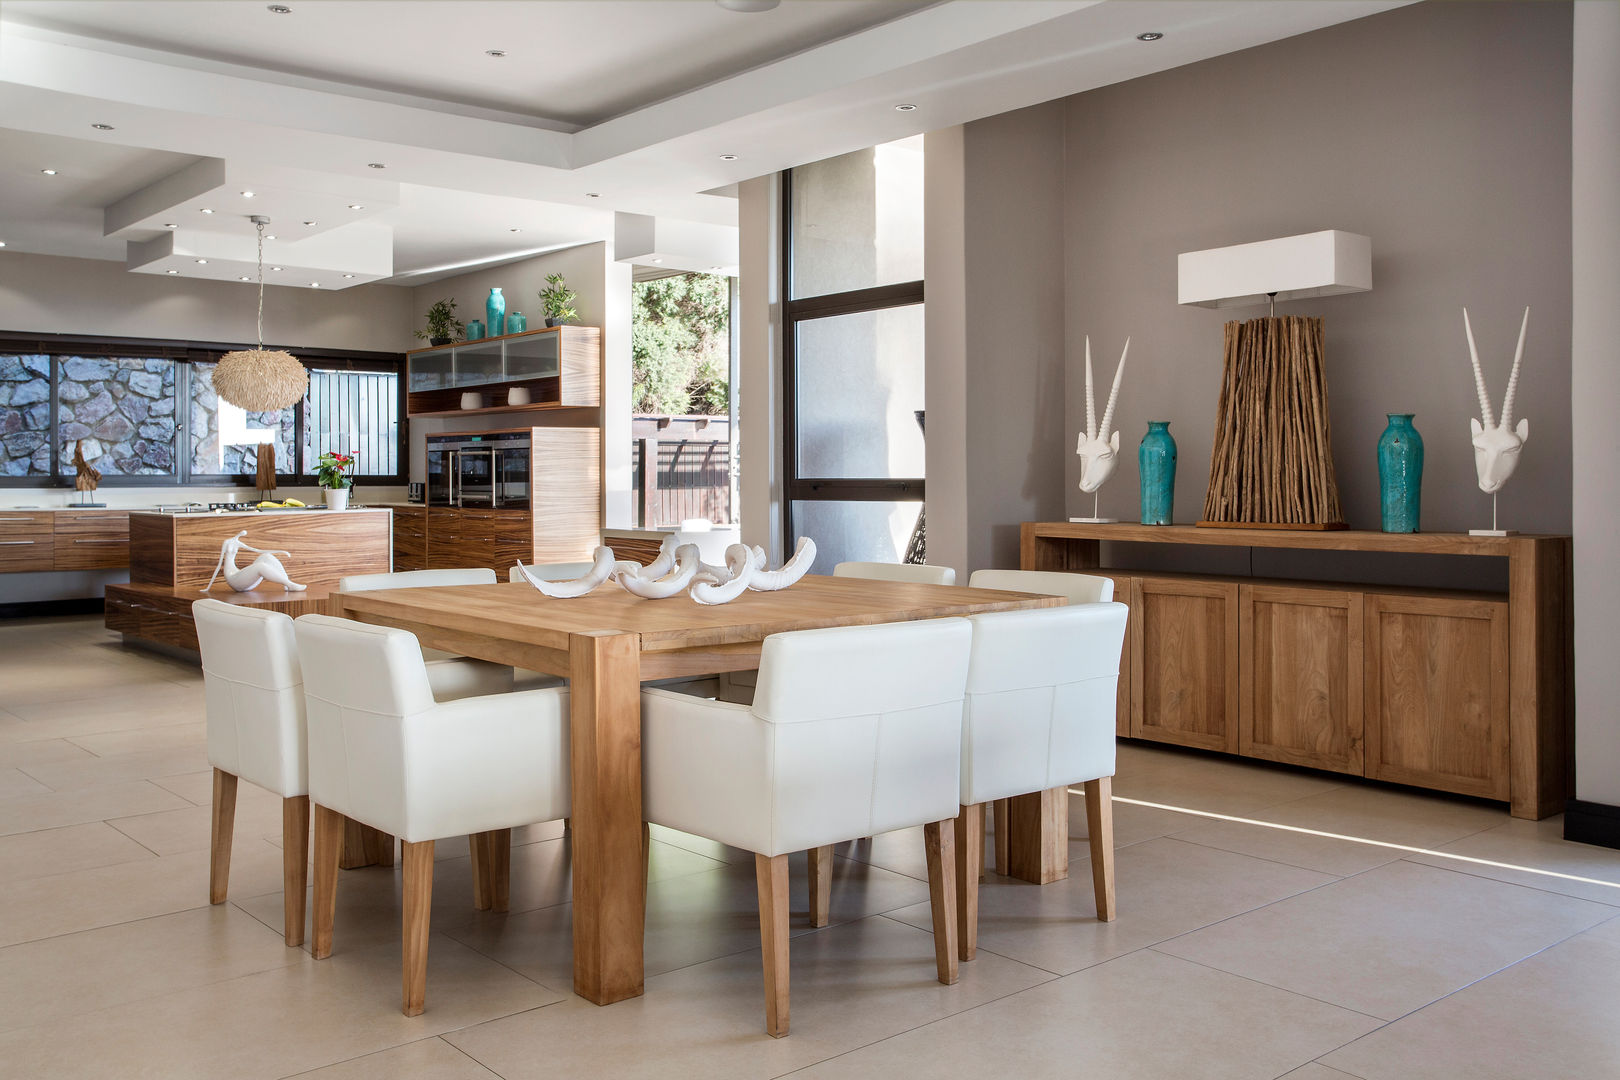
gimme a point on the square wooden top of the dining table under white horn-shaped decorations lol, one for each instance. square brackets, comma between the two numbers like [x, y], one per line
[516, 624]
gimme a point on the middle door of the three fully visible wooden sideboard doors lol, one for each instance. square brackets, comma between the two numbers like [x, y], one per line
[1302, 676]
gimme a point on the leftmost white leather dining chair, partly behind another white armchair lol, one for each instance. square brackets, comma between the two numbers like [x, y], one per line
[255, 707]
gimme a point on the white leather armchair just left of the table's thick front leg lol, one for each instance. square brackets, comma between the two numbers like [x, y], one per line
[385, 752]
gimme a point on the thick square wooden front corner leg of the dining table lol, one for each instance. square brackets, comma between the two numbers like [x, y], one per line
[610, 906]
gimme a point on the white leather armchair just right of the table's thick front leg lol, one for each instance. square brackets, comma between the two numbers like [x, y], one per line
[855, 731]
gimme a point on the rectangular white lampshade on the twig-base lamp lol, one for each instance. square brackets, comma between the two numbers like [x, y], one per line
[1295, 268]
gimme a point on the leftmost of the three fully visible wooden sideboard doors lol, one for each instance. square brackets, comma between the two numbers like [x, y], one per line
[1185, 663]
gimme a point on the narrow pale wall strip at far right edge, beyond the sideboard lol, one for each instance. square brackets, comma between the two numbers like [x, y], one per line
[1597, 393]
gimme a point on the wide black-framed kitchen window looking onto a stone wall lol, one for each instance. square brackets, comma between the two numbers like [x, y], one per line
[147, 414]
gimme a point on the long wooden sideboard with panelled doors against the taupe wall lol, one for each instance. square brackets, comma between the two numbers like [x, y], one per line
[1459, 692]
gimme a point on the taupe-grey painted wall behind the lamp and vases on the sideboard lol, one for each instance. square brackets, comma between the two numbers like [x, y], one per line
[1441, 130]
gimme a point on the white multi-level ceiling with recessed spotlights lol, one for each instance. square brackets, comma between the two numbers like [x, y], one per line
[650, 106]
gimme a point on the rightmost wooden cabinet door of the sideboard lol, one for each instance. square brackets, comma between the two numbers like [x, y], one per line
[1438, 692]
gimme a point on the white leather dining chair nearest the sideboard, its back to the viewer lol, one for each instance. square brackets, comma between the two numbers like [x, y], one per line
[1041, 715]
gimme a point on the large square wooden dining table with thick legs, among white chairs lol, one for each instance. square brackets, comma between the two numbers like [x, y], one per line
[607, 644]
